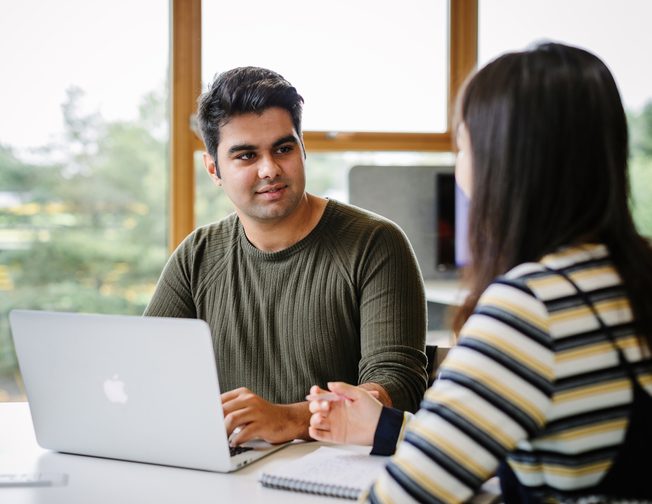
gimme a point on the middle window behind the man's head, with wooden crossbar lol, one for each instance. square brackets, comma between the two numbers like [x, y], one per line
[373, 77]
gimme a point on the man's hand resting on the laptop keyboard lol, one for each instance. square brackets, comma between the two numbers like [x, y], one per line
[257, 418]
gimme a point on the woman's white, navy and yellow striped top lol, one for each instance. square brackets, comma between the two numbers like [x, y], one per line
[534, 380]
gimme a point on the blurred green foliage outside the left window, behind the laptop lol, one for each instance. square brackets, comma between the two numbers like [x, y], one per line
[87, 233]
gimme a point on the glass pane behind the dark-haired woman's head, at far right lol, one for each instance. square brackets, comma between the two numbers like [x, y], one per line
[618, 32]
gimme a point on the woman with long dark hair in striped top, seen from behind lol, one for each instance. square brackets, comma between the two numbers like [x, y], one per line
[549, 385]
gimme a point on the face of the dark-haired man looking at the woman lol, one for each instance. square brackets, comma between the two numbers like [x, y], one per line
[261, 165]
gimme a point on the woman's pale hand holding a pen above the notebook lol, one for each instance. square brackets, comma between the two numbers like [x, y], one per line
[350, 415]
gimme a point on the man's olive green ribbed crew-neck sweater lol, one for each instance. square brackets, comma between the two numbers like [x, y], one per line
[345, 303]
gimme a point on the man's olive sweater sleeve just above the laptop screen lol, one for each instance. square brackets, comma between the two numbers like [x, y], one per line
[173, 296]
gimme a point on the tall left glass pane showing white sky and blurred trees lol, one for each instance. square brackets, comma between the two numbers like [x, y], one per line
[83, 159]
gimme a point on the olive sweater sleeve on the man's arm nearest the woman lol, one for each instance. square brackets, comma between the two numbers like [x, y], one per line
[392, 318]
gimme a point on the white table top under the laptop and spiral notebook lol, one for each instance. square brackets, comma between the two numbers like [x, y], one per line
[97, 481]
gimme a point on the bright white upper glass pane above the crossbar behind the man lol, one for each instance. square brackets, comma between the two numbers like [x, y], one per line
[367, 65]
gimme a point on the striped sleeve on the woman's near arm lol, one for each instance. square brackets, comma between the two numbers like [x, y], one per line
[493, 391]
